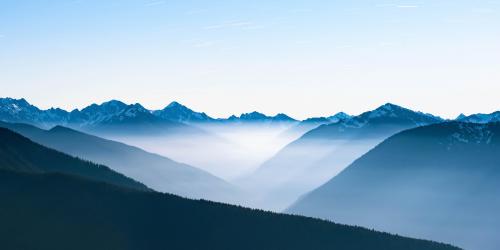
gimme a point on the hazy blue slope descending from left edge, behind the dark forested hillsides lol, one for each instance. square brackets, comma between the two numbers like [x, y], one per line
[158, 172]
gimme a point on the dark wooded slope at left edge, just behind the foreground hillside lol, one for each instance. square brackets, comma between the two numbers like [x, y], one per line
[21, 154]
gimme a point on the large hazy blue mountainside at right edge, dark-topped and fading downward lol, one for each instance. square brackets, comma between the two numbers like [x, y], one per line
[437, 182]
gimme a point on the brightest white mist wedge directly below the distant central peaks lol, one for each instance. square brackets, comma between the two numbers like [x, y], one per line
[227, 151]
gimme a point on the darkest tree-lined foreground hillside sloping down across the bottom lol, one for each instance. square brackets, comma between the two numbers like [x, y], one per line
[55, 211]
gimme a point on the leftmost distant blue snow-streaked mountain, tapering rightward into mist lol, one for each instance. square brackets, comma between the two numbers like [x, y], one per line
[112, 117]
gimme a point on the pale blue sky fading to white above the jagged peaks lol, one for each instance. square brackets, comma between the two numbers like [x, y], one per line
[304, 58]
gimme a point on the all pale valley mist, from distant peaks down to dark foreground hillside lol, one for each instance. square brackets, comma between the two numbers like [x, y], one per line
[268, 166]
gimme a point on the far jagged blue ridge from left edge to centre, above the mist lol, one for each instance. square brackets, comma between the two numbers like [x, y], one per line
[111, 113]
